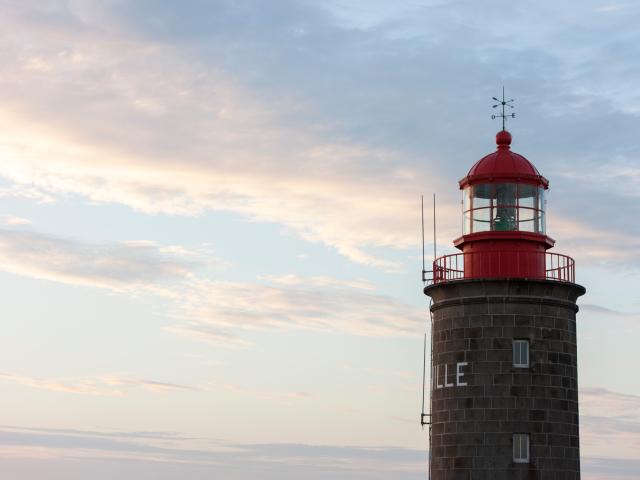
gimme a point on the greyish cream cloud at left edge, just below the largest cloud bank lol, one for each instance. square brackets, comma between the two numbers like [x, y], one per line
[117, 266]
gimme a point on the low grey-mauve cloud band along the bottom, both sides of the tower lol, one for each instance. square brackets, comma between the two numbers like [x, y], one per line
[75, 454]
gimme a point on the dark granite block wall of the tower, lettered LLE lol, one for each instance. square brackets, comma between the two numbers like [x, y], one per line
[479, 399]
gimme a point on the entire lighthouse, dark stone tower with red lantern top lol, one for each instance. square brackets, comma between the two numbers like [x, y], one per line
[504, 392]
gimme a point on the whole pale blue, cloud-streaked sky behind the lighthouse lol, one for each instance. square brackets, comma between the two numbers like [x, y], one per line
[210, 224]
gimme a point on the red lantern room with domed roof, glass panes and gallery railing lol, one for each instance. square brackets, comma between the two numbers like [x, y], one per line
[503, 223]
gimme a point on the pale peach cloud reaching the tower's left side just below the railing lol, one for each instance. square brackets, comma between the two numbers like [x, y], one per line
[221, 312]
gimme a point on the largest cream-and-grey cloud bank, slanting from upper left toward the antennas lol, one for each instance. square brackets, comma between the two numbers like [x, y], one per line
[198, 140]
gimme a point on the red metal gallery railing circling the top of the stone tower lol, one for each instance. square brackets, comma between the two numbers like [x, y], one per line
[446, 268]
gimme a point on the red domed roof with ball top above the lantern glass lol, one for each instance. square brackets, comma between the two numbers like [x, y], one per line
[503, 165]
